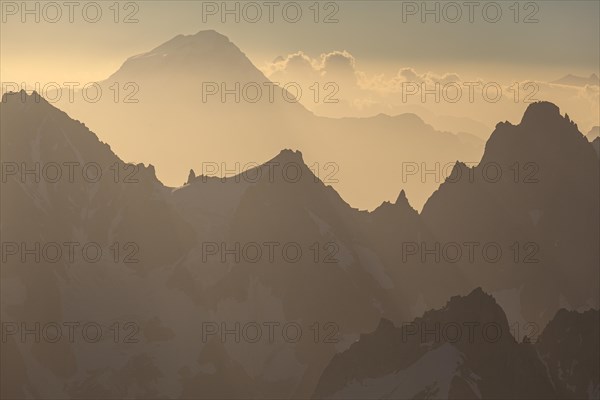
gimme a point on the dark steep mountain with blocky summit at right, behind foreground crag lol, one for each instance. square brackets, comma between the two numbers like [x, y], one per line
[535, 188]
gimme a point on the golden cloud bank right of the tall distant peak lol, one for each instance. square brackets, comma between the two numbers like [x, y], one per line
[364, 93]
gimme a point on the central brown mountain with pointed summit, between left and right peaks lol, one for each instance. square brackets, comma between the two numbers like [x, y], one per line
[295, 208]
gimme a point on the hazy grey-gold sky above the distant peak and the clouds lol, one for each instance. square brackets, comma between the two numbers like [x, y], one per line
[382, 35]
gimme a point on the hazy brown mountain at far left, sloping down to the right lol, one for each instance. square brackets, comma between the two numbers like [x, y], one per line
[67, 187]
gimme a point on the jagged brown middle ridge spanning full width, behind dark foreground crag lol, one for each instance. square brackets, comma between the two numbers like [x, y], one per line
[371, 276]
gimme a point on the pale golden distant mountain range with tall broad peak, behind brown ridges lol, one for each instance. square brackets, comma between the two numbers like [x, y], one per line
[200, 123]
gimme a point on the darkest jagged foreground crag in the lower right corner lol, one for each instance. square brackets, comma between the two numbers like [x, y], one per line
[466, 350]
